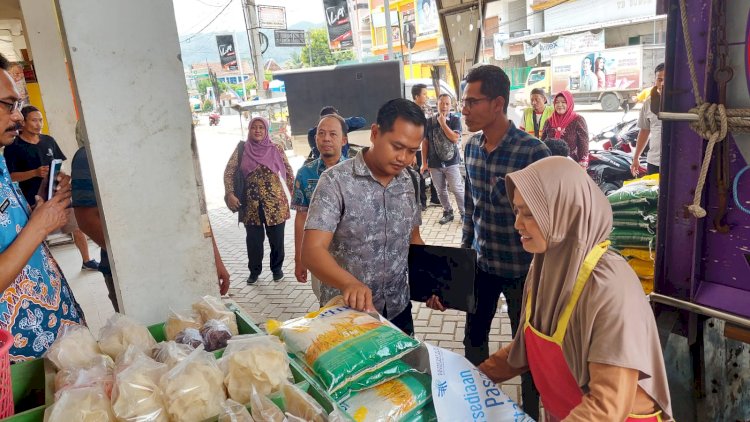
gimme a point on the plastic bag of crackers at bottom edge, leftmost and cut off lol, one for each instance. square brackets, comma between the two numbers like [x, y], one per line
[86, 404]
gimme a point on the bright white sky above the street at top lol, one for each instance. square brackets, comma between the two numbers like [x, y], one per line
[192, 15]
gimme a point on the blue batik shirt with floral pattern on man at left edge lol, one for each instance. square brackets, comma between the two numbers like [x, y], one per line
[38, 304]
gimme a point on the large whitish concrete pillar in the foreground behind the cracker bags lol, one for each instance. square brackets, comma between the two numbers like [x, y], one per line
[125, 63]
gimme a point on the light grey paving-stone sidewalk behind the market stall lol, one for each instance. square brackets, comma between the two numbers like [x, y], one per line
[289, 299]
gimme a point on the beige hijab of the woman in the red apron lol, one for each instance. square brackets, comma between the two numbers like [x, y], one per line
[612, 323]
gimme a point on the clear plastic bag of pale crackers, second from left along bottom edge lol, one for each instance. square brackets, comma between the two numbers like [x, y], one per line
[137, 396]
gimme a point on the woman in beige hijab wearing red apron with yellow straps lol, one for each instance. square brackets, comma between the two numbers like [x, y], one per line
[589, 336]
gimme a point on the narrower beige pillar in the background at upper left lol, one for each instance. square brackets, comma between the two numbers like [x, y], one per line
[45, 46]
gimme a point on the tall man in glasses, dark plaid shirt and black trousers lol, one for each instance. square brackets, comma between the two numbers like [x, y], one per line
[500, 148]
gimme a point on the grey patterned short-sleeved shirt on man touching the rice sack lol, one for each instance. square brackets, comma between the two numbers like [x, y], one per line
[371, 226]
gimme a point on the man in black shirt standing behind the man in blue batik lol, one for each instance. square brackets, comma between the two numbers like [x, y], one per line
[28, 159]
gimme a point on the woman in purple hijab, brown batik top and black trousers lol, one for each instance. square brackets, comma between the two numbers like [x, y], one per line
[254, 185]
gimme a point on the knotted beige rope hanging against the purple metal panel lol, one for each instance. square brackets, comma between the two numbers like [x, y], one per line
[714, 120]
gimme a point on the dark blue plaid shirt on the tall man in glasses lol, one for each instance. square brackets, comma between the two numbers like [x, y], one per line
[488, 222]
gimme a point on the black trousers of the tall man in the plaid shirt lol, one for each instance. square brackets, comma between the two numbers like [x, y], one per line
[488, 288]
